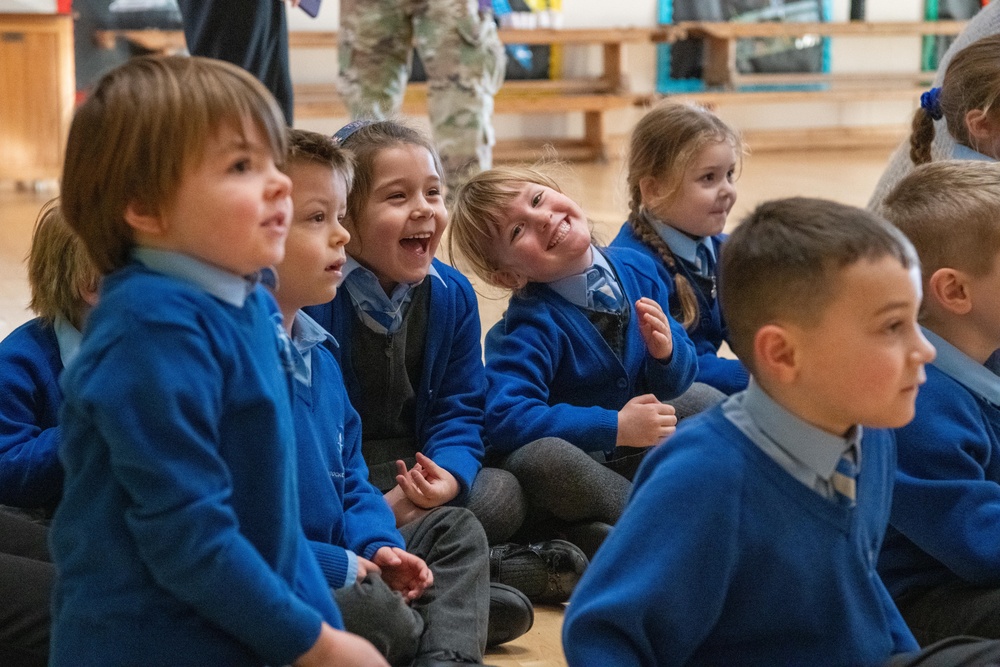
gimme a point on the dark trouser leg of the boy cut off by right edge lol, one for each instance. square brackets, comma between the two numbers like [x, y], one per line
[956, 608]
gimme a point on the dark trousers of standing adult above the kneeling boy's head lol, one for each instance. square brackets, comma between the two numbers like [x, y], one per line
[252, 34]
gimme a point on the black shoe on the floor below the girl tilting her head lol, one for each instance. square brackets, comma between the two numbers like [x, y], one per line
[546, 572]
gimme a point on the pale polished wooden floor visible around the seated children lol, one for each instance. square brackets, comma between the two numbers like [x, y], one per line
[848, 177]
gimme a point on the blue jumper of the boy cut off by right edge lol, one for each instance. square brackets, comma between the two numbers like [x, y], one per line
[946, 509]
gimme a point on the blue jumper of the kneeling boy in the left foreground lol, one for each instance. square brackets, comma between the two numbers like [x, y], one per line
[177, 540]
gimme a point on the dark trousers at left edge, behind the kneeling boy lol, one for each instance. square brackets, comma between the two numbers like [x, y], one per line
[26, 580]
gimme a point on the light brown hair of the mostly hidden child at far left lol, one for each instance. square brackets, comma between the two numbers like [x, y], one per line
[59, 269]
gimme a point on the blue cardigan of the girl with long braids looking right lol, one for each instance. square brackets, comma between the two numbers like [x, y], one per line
[726, 375]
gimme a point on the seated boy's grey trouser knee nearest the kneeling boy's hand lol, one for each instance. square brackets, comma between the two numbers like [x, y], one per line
[379, 614]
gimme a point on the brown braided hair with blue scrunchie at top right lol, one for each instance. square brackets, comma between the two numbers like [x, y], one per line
[971, 81]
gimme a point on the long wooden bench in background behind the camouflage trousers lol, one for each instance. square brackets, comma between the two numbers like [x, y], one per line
[591, 96]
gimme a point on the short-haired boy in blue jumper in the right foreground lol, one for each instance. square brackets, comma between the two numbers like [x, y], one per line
[748, 538]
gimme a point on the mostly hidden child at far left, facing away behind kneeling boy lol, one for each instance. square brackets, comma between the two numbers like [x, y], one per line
[63, 289]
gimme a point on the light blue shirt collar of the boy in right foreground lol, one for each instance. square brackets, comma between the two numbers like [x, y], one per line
[807, 453]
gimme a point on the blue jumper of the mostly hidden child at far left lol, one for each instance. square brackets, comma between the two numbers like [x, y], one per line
[30, 474]
